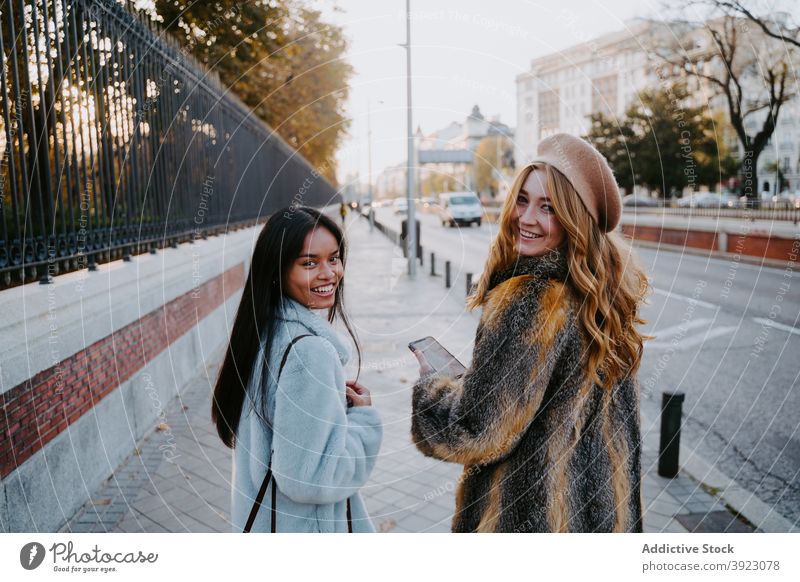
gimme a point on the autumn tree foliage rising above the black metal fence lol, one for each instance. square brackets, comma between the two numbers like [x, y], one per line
[280, 58]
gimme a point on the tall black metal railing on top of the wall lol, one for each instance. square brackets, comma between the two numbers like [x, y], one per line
[115, 142]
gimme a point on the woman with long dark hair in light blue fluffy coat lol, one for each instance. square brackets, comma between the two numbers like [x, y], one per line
[299, 431]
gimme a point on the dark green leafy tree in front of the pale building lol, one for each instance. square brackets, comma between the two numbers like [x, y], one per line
[664, 144]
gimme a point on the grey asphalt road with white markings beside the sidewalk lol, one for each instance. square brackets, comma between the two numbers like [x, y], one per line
[727, 336]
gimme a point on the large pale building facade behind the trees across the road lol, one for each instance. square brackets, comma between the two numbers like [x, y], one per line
[561, 90]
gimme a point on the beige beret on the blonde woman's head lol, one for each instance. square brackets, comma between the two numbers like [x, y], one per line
[588, 172]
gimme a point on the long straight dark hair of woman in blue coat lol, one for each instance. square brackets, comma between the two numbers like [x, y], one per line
[278, 246]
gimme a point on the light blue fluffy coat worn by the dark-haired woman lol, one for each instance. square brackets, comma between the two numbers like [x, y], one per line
[324, 452]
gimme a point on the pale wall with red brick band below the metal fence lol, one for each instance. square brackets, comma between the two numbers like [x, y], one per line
[44, 326]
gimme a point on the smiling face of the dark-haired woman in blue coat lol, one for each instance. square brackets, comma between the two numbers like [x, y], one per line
[314, 277]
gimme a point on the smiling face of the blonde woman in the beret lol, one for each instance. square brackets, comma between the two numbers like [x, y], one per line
[536, 227]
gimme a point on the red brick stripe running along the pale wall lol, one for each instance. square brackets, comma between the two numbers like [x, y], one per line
[39, 409]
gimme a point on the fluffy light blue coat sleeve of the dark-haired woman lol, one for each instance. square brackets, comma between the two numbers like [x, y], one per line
[323, 451]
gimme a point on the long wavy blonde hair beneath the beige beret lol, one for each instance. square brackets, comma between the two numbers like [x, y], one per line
[603, 272]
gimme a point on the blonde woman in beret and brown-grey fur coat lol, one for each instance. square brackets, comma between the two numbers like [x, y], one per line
[546, 419]
